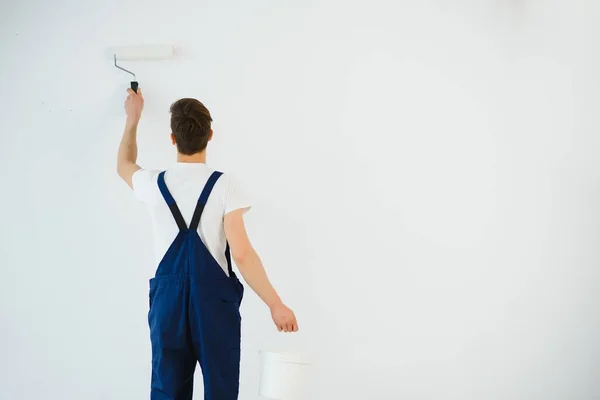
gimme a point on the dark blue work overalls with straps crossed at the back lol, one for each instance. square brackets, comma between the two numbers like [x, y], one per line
[194, 314]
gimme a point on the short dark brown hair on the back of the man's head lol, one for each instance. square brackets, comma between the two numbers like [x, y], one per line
[190, 123]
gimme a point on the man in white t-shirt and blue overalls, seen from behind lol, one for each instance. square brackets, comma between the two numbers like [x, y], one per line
[195, 296]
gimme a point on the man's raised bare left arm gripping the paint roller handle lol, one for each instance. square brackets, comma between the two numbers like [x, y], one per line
[127, 156]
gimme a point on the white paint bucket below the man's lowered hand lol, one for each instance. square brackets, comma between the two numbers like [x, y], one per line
[284, 376]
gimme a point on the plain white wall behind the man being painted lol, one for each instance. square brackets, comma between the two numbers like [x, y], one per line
[424, 172]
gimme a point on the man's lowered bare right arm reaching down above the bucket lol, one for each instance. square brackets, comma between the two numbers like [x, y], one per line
[254, 274]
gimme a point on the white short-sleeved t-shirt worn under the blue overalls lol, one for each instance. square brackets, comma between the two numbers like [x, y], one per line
[185, 182]
